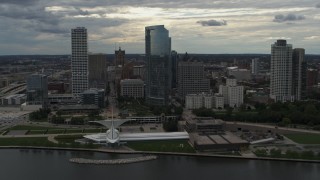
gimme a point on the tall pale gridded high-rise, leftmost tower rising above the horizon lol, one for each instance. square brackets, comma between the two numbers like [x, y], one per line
[79, 60]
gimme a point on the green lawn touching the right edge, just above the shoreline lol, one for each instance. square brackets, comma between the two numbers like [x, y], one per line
[304, 138]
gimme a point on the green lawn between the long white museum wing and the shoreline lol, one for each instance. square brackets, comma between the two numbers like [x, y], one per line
[162, 146]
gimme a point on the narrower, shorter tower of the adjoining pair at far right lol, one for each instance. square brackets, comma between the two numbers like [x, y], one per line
[299, 74]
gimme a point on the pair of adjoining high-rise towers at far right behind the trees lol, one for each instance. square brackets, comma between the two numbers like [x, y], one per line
[288, 72]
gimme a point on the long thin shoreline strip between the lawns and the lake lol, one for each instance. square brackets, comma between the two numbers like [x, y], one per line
[160, 153]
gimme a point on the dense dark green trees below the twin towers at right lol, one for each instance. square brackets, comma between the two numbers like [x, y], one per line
[304, 113]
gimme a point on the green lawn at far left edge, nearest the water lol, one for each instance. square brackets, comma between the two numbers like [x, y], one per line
[25, 141]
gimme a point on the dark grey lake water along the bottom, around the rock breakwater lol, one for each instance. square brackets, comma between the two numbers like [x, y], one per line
[18, 164]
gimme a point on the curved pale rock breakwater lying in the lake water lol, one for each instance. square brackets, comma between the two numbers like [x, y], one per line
[113, 161]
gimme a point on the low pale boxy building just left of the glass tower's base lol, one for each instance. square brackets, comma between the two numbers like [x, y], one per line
[132, 88]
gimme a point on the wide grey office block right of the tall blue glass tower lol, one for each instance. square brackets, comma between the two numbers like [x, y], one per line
[191, 79]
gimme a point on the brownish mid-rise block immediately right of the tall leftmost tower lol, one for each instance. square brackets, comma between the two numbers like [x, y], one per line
[97, 70]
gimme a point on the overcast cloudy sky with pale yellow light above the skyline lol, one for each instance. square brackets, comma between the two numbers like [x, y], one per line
[195, 26]
